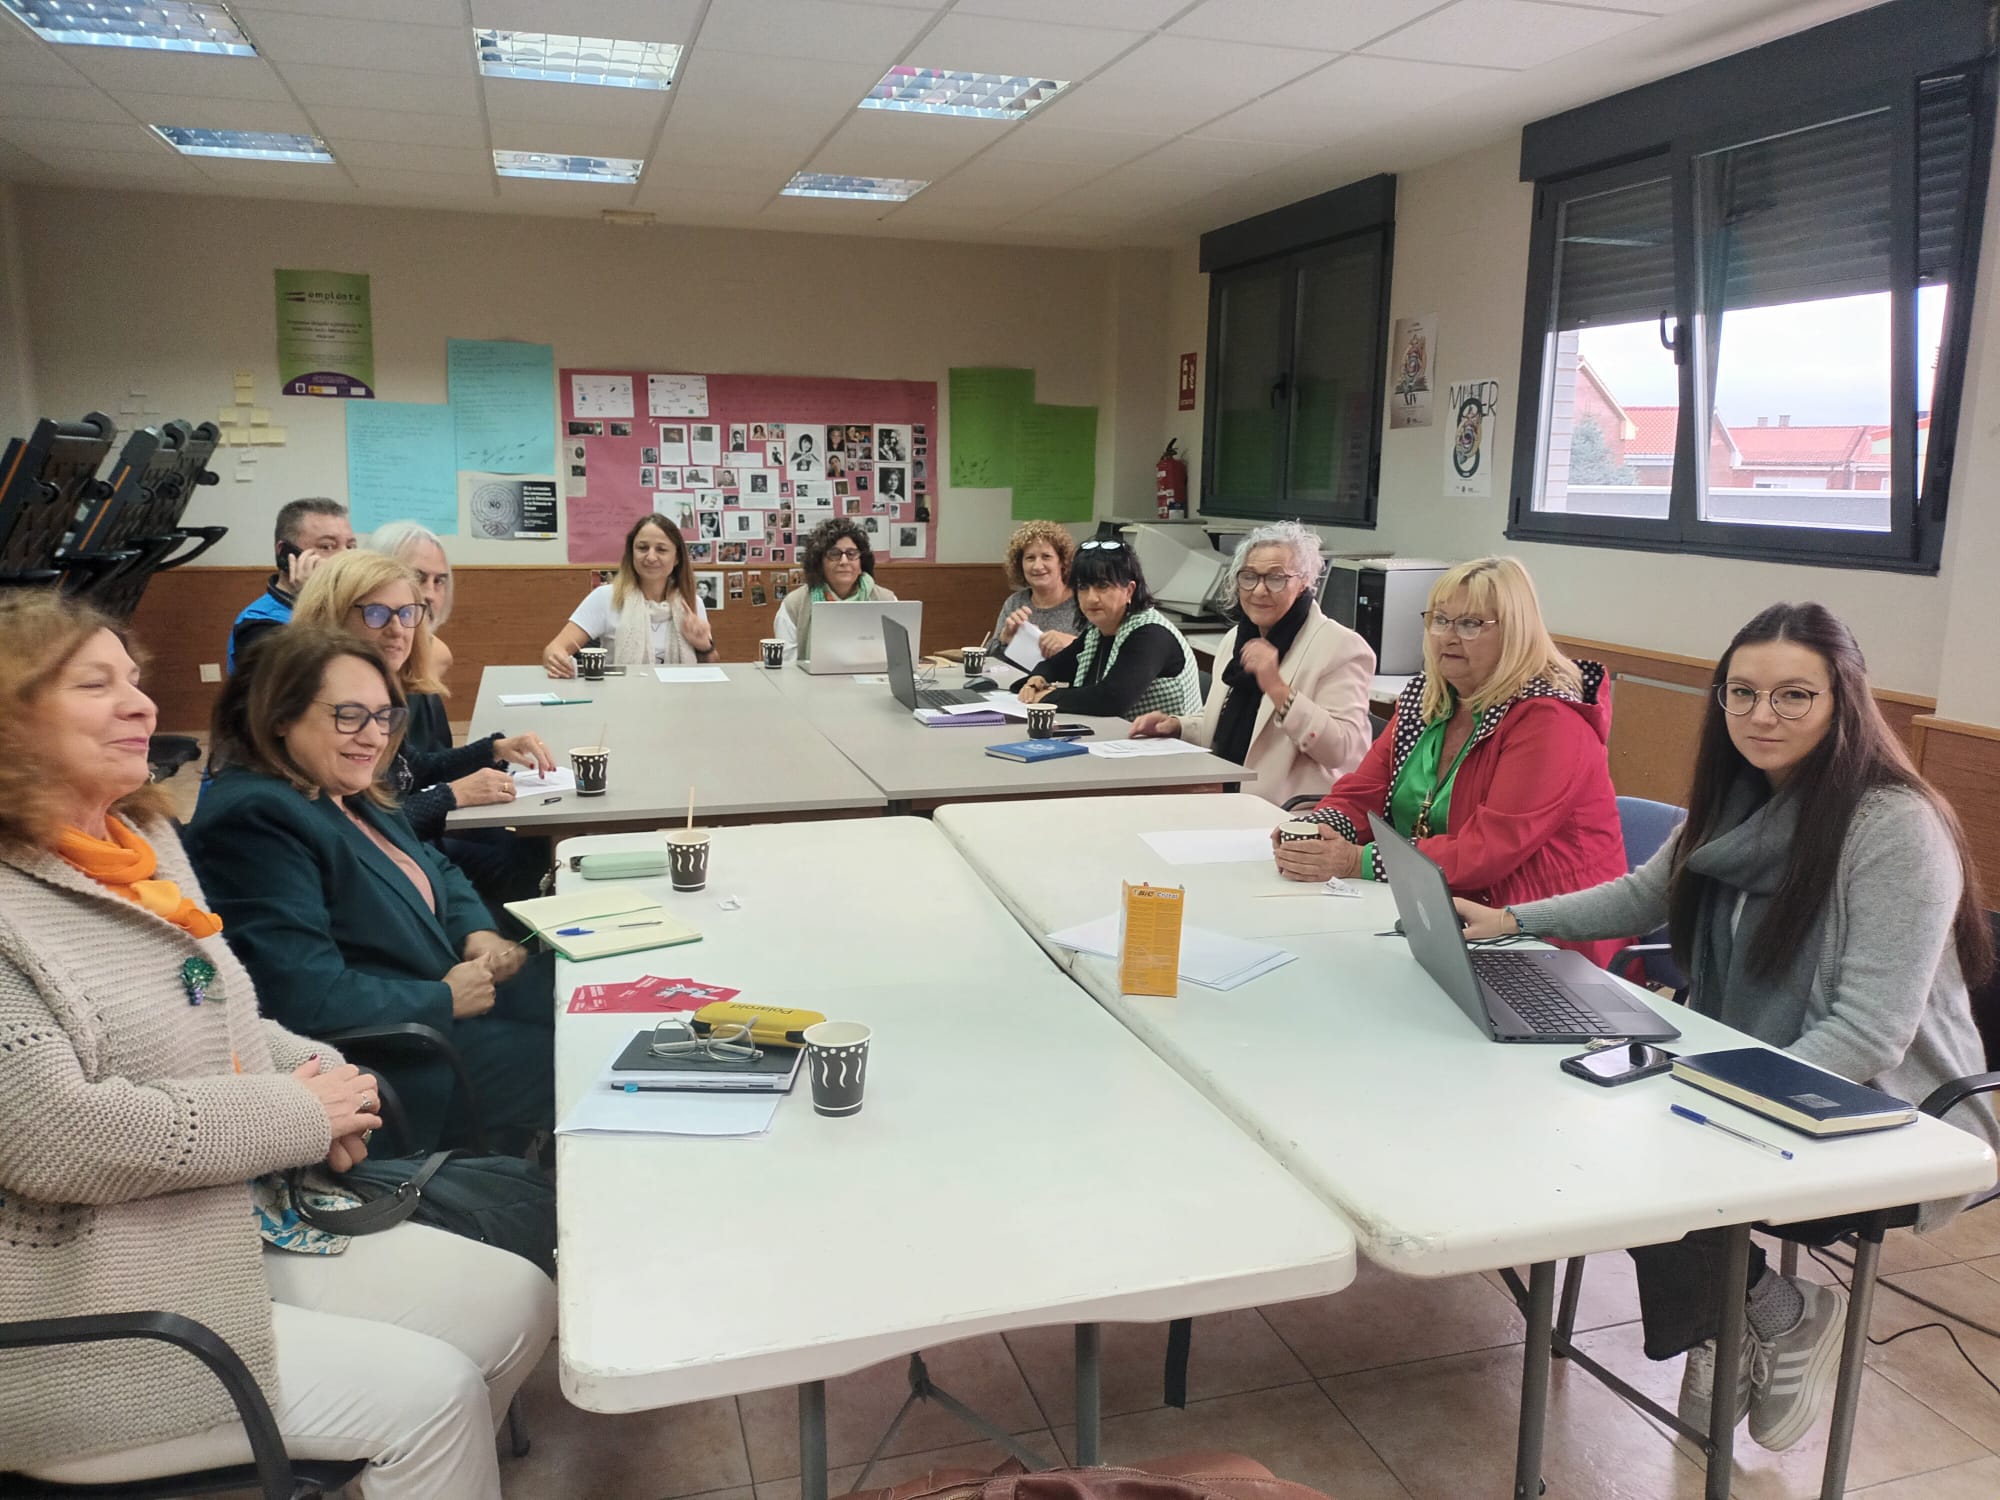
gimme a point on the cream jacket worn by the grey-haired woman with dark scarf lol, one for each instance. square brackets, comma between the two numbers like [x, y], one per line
[1327, 731]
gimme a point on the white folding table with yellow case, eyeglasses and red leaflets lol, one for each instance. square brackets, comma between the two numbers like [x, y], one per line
[1019, 1161]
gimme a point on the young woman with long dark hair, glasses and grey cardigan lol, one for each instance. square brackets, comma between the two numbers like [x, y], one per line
[1819, 899]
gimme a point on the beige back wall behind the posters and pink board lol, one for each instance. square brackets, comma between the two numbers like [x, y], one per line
[175, 295]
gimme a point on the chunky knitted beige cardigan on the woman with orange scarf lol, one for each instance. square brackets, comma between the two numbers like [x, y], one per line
[127, 1145]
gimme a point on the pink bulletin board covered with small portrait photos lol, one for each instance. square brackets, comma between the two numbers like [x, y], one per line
[785, 453]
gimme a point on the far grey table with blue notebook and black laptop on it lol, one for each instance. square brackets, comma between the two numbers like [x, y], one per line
[917, 765]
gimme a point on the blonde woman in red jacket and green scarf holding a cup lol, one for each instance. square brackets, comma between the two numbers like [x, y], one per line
[1495, 763]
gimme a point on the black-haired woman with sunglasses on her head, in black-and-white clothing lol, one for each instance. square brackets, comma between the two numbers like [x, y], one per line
[1131, 659]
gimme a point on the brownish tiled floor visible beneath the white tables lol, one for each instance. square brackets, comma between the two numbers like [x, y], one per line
[1391, 1391]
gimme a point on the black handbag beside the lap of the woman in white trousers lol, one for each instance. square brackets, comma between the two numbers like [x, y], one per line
[501, 1201]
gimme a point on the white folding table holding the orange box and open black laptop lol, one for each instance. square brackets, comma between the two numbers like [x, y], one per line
[1497, 1159]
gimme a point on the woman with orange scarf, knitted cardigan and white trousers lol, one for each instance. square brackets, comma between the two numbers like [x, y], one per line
[149, 1115]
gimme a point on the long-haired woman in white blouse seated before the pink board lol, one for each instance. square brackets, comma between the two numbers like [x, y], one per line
[645, 617]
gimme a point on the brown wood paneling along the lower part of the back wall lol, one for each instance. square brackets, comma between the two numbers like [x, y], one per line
[505, 617]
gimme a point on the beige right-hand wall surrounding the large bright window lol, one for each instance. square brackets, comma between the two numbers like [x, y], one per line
[1463, 253]
